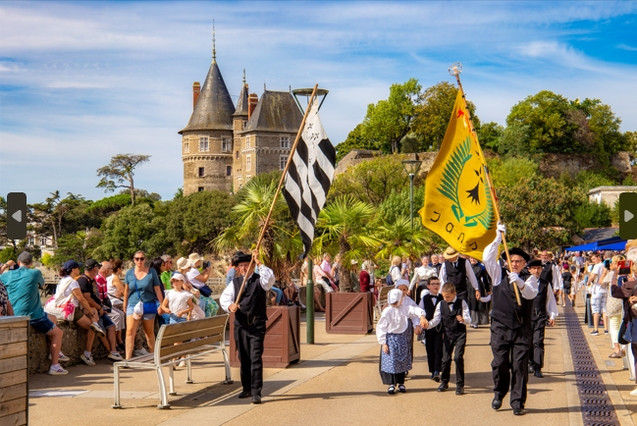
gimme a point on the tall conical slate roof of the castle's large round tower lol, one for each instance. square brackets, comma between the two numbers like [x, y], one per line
[214, 107]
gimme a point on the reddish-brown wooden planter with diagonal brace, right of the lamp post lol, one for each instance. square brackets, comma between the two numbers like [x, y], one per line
[349, 313]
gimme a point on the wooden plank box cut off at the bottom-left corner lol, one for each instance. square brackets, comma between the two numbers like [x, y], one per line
[14, 400]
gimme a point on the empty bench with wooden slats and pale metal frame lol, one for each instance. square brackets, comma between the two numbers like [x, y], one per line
[190, 339]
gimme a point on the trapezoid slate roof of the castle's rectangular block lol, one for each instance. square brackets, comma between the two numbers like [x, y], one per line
[275, 112]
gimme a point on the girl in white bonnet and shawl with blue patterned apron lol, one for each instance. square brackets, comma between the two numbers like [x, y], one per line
[392, 332]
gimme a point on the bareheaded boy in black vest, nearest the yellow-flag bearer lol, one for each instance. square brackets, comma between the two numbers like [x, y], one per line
[453, 313]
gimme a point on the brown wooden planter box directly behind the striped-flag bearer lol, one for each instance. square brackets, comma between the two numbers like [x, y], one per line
[282, 345]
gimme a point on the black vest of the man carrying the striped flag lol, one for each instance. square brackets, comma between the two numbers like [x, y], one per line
[252, 308]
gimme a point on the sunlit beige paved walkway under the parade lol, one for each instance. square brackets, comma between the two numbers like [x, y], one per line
[336, 382]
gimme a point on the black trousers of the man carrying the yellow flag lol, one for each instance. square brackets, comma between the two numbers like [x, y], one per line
[510, 348]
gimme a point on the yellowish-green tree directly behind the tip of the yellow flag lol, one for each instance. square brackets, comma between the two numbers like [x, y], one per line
[432, 114]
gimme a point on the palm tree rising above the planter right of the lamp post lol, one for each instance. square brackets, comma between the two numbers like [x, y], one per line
[346, 226]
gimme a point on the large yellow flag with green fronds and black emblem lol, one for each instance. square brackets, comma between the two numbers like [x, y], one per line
[458, 202]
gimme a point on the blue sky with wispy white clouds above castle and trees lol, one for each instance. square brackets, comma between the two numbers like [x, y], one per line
[83, 81]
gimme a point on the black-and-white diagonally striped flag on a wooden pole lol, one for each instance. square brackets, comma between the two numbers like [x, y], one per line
[309, 176]
